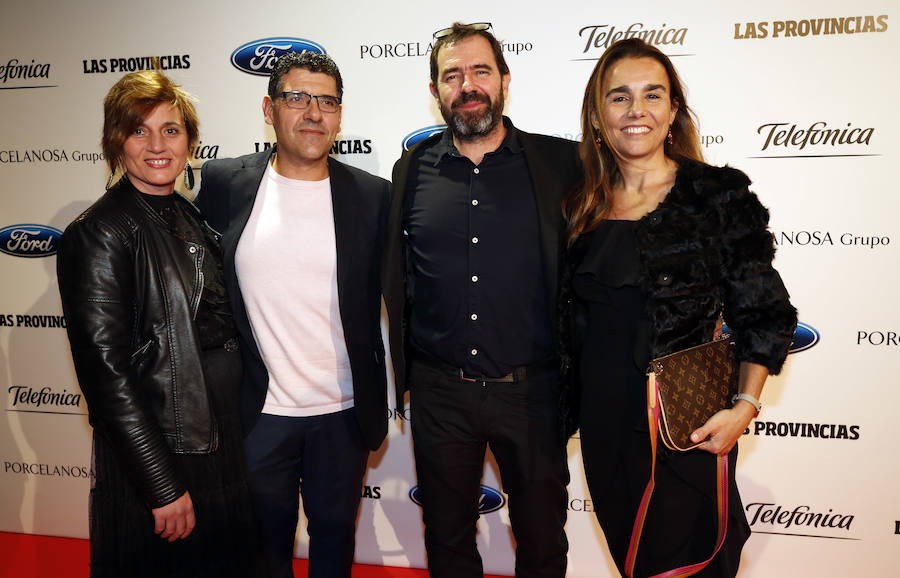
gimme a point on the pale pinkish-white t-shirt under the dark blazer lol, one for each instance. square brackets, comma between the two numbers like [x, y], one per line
[286, 262]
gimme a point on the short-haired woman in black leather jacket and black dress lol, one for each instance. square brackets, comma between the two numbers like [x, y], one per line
[153, 341]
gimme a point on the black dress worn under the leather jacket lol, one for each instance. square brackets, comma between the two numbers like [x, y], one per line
[224, 542]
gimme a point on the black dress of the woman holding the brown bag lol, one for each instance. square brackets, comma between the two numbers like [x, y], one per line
[680, 527]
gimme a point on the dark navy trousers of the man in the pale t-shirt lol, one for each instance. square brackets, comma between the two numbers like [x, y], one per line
[327, 453]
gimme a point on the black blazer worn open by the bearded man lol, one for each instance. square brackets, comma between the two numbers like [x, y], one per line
[554, 166]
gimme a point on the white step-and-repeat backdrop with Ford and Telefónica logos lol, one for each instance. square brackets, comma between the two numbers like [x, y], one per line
[799, 95]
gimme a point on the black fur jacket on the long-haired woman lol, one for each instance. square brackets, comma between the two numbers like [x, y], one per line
[705, 250]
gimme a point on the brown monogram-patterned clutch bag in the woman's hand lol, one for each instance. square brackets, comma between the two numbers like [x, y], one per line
[693, 385]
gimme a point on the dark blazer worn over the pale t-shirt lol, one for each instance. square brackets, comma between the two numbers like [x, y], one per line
[360, 202]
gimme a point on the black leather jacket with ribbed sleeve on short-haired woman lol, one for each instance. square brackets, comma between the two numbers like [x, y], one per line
[130, 290]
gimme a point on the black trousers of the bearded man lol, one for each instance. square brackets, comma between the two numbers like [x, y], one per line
[453, 421]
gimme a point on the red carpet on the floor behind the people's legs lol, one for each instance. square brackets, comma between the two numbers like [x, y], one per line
[27, 556]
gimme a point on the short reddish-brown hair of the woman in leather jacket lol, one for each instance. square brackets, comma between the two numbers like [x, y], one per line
[128, 103]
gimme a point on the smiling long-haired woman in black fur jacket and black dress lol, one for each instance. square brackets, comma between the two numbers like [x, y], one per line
[661, 246]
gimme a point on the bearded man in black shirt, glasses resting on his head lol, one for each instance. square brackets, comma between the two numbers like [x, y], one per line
[470, 281]
